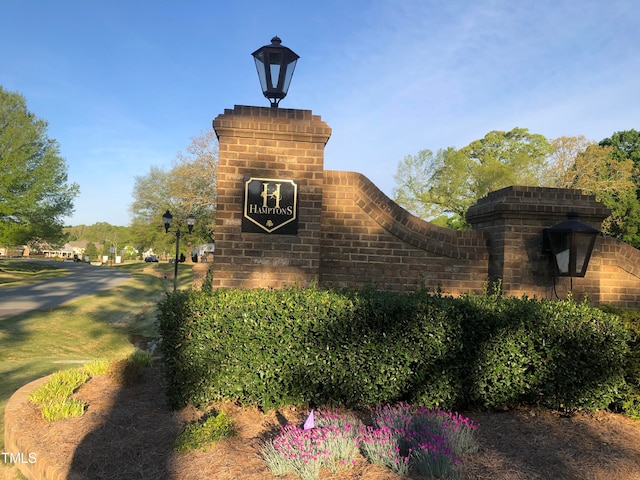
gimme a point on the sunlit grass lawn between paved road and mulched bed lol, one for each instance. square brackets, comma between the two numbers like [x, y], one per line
[97, 326]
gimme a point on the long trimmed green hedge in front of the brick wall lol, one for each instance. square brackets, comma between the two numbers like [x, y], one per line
[360, 348]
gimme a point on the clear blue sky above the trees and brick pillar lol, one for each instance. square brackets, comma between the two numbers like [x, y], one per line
[125, 84]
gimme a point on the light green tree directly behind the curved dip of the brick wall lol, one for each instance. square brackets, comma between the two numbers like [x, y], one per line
[442, 187]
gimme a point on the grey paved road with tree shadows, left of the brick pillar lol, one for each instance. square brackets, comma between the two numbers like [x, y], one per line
[83, 279]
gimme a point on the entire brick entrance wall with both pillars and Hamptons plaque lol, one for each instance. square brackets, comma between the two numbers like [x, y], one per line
[283, 220]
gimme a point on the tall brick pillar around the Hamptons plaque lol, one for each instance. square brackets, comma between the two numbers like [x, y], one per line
[271, 143]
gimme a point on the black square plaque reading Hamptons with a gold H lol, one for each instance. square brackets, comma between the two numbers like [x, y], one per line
[270, 206]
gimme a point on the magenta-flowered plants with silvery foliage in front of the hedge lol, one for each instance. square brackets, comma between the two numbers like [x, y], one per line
[403, 438]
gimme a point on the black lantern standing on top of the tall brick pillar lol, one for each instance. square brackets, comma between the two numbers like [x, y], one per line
[275, 64]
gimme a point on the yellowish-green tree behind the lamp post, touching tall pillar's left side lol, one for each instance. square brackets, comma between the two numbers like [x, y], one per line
[189, 187]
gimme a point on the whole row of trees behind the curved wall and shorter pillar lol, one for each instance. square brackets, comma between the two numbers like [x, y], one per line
[440, 187]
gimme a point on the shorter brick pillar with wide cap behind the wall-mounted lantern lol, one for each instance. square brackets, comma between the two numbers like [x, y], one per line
[513, 219]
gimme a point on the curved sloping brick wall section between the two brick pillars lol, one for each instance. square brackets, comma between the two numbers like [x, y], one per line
[366, 238]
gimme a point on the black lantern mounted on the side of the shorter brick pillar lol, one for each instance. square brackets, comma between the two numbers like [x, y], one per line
[571, 243]
